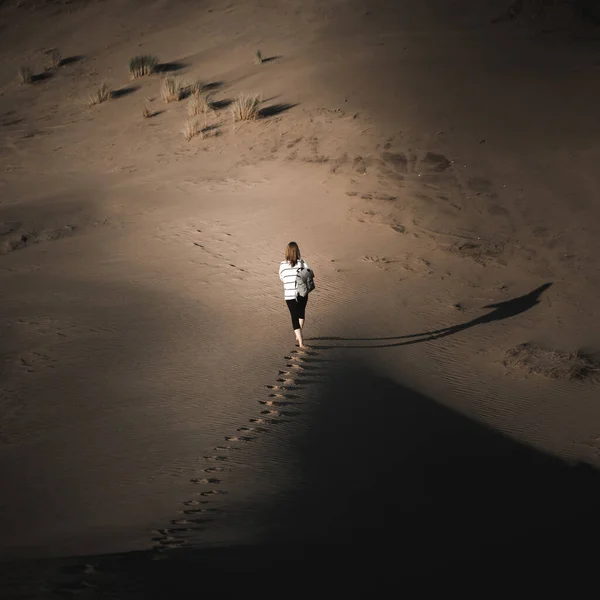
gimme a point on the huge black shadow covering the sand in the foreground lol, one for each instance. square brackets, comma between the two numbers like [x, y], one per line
[391, 485]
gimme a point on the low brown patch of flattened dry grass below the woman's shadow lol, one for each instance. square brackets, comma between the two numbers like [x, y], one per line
[552, 364]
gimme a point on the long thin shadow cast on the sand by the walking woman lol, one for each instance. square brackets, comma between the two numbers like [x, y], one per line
[502, 310]
